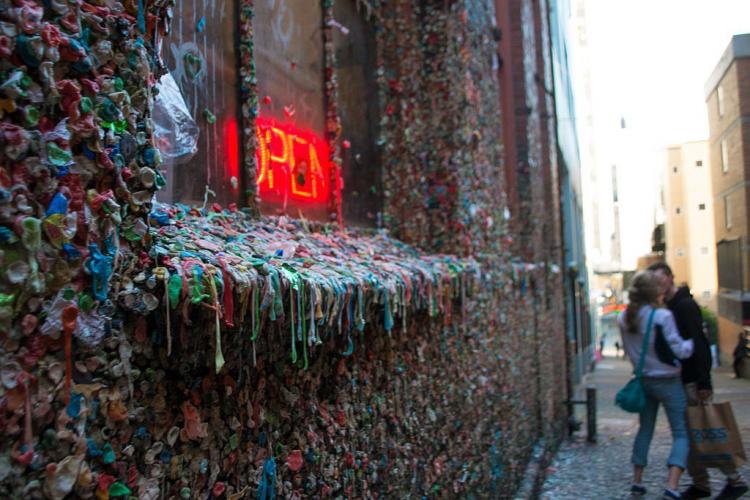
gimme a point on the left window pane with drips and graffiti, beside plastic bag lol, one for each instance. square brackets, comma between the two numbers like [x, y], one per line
[201, 55]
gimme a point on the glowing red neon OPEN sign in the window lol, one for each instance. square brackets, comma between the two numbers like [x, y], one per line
[292, 164]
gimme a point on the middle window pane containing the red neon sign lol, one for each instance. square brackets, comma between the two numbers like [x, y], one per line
[294, 173]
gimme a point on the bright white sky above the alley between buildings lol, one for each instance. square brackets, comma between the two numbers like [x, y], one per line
[647, 62]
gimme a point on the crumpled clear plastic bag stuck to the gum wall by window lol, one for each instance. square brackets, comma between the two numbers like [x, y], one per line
[175, 130]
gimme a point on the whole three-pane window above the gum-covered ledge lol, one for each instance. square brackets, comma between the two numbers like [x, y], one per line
[294, 173]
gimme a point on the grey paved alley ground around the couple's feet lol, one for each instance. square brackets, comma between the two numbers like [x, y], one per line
[603, 470]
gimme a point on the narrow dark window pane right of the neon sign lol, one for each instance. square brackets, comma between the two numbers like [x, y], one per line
[359, 112]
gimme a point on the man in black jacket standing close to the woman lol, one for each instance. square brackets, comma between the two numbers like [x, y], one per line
[696, 376]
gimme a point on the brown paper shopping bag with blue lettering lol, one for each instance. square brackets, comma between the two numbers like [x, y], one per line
[715, 440]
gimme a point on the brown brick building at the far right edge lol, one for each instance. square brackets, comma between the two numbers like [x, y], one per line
[728, 99]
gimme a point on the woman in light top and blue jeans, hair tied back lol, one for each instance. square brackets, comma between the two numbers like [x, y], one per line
[661, 381]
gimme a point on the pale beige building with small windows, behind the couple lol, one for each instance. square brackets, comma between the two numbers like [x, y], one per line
[689, 224]
